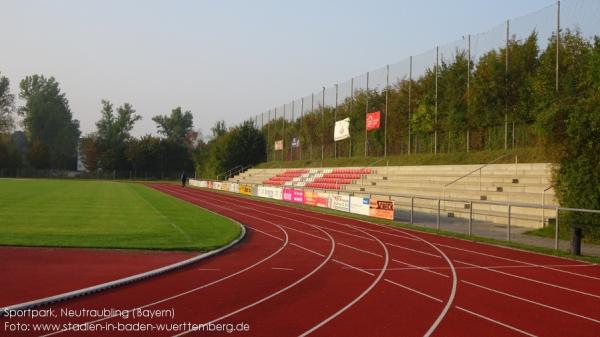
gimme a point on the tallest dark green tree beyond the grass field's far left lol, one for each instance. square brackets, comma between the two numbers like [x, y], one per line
[49, 123]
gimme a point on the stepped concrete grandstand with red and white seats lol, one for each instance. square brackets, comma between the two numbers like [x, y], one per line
[468, 190]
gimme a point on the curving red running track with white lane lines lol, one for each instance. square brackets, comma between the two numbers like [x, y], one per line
[299, 272]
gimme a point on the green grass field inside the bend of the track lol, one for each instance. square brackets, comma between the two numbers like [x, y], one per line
[70, 213]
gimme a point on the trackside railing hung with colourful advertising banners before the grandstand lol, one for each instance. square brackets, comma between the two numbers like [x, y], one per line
[427, 211]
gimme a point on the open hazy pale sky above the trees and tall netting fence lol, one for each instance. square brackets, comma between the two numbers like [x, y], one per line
[223, 59]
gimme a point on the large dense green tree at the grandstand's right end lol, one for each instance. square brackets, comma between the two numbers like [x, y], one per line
[569, 124]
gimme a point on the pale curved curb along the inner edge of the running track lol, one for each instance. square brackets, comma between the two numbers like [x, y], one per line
[123, 281]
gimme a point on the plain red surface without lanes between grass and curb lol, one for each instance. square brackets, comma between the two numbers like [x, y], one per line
[25, 280]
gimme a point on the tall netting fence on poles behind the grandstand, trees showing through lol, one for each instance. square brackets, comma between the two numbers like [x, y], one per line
[475, 93]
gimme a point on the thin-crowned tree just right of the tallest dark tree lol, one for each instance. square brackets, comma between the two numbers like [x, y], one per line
[113, 134]
